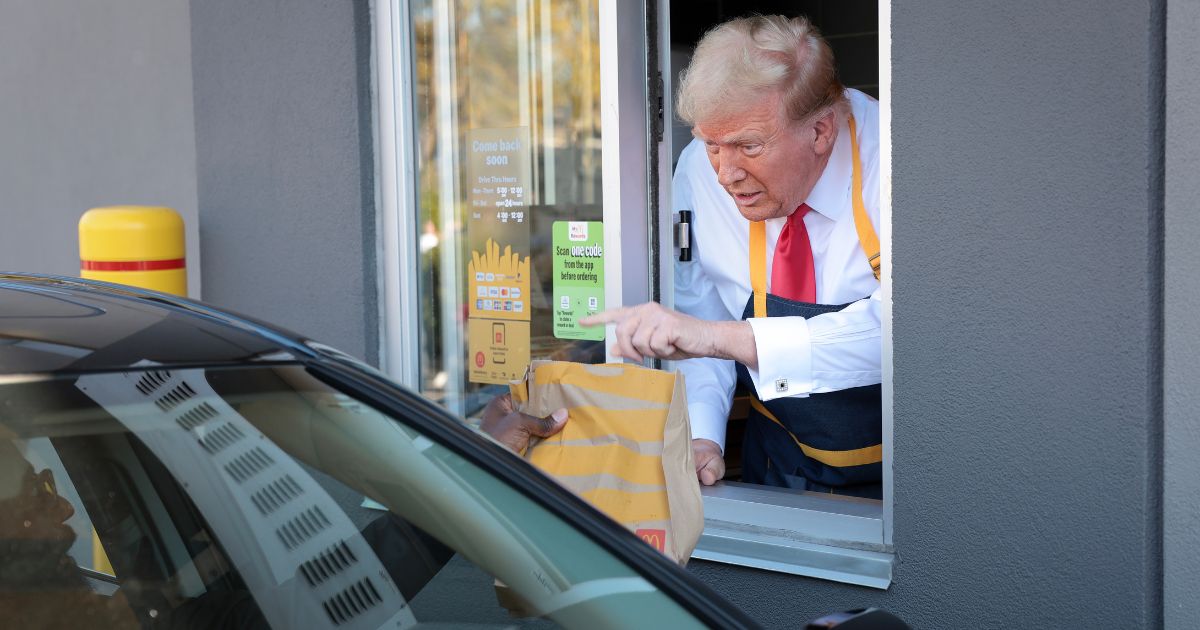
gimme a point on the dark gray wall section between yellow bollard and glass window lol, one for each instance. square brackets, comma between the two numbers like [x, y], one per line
[285, 166]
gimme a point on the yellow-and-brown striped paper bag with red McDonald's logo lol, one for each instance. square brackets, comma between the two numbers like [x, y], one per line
[626, 449]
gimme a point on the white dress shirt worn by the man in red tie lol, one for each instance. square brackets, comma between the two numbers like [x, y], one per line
[797, 357]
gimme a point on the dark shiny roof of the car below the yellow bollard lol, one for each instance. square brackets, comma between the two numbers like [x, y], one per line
[56, 325]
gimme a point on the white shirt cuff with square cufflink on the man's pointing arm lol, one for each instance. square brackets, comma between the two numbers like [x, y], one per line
[785, 358]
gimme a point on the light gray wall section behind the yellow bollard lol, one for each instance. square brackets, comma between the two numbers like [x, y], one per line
[97, 111]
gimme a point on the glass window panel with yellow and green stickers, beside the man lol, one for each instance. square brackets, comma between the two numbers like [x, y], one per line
[502, 220]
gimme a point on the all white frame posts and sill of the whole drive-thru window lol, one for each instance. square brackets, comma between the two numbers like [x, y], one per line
[832, 538]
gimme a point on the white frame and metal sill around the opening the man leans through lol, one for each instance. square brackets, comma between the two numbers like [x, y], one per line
[833, 538]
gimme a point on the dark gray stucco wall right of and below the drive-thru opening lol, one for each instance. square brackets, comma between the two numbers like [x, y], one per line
[1028, 323]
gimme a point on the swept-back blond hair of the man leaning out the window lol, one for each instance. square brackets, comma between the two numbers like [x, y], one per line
[737, 62]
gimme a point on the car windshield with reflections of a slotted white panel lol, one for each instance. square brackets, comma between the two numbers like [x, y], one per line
[262, 497]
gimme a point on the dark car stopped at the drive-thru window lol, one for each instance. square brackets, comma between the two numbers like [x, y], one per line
[165, 464]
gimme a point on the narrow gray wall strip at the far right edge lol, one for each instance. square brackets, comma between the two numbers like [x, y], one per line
[1181, 478]
